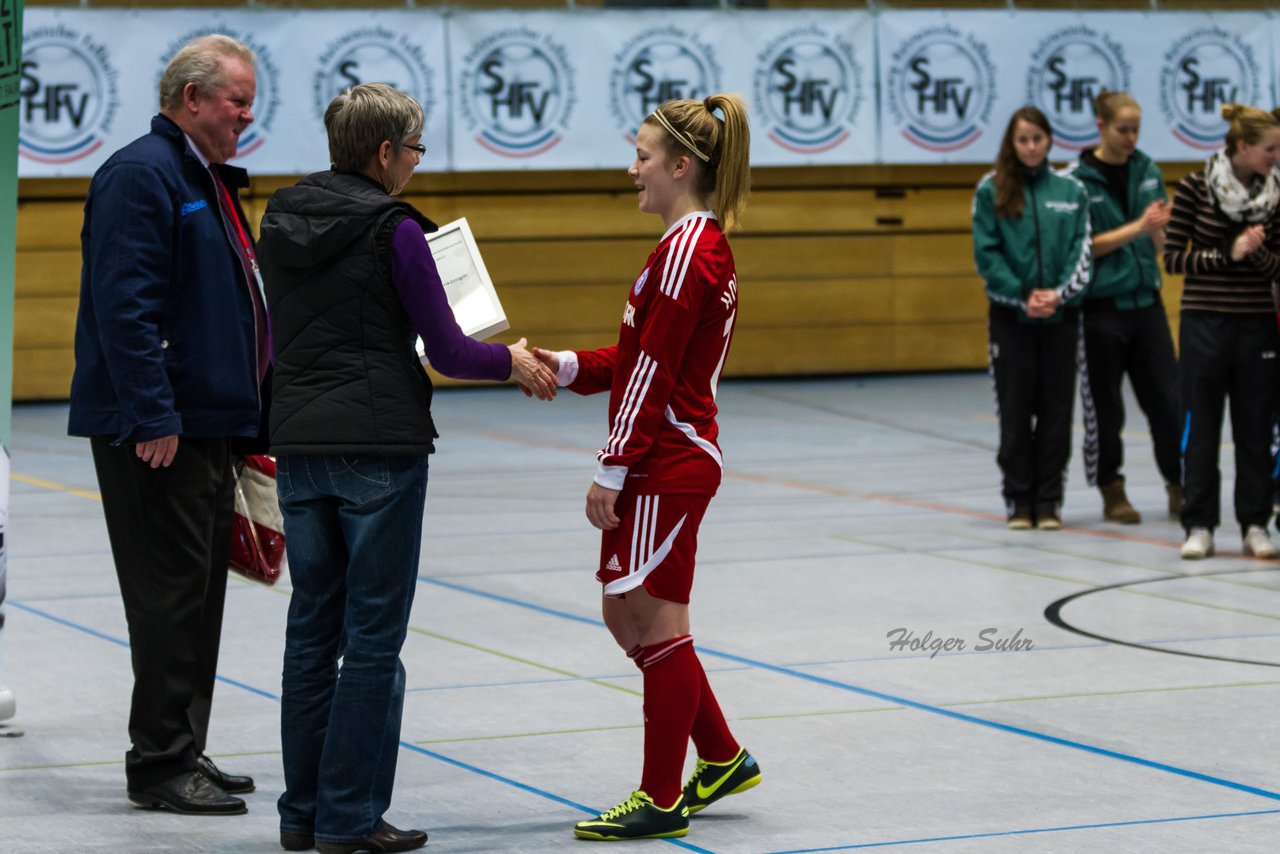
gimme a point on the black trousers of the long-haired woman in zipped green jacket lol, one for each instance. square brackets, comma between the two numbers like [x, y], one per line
[1034, 366]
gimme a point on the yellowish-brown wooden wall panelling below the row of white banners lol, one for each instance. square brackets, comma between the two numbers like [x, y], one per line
[843, 270]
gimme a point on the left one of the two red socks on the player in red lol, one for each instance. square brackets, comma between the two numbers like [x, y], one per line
[671, 692]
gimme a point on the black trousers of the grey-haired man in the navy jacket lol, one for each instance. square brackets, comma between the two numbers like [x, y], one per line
[171, 538]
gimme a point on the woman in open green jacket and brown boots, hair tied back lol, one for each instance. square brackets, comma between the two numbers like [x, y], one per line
[1126, 327]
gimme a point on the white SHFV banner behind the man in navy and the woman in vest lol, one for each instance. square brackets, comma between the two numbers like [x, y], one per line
[90, 79]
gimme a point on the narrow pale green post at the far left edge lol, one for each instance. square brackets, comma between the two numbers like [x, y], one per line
[11, 68]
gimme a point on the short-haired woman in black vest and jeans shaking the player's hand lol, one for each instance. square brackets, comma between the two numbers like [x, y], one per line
[351, 285]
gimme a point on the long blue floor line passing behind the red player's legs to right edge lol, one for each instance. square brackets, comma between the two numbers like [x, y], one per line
[898, 701]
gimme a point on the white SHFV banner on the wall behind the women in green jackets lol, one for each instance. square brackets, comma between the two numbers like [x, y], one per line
[949, 83]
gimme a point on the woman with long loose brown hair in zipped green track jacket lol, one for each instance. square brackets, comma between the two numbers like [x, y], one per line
[1031, 243]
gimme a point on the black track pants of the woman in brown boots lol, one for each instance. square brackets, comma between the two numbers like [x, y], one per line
[1137, 344]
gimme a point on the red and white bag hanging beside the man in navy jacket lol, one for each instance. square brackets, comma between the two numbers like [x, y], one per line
[258, 529]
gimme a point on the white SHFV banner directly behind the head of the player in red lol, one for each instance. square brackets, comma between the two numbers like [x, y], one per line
[568, 92]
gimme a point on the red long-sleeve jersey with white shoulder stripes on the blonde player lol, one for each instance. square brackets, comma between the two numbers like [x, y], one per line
[662, 375]
